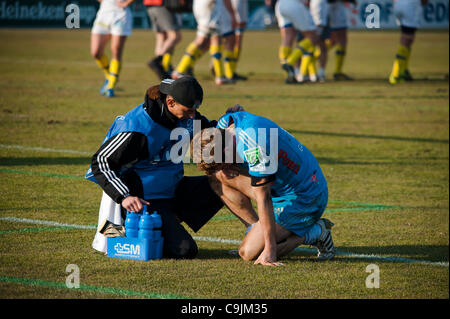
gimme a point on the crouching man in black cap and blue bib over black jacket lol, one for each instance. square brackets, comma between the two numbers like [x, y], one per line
[133, 167]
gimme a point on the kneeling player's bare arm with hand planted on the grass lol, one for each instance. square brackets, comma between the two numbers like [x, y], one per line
[261, 188]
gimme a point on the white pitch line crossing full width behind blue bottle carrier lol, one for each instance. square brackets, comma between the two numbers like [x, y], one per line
[237, 242]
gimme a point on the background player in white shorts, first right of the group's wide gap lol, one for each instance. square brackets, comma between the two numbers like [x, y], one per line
[295, 12]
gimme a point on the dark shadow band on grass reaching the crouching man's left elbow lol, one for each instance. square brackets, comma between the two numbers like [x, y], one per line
[30, 161]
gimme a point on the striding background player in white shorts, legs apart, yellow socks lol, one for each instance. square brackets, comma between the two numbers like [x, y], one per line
[211, 24]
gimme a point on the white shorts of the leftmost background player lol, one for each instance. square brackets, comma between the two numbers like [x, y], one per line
[115, 22]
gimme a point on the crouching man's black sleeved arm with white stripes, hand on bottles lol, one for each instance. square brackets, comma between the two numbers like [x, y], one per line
[120, 150]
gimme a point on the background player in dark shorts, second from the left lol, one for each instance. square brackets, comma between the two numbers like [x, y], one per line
[166, 26]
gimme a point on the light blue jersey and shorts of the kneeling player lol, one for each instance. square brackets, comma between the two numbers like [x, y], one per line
[299, 191]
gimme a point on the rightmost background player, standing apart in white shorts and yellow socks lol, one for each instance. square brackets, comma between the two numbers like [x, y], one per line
[408, 14]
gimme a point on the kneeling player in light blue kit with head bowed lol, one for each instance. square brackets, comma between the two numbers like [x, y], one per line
[287, 185]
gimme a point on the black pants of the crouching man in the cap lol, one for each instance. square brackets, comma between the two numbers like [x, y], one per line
[195, 203]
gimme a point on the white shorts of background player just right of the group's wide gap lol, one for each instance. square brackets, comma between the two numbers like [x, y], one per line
[295, 12]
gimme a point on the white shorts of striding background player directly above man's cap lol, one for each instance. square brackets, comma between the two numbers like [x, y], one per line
[211, 18]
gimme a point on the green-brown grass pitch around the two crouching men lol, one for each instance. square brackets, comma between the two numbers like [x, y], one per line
[384, 151]
